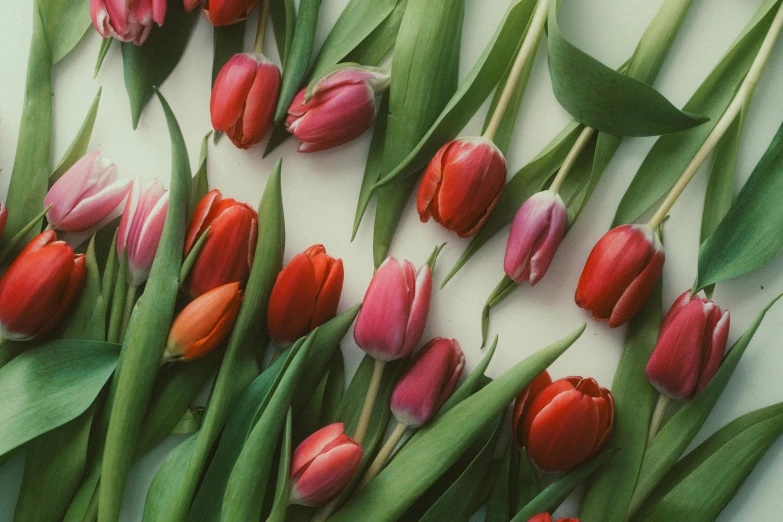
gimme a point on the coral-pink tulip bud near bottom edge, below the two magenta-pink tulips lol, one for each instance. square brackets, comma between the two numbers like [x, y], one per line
[322, 465]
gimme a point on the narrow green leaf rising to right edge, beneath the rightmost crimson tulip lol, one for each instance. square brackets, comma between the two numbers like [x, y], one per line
[675, 436]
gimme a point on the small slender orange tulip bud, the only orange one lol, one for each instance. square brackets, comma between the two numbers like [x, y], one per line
[204, 323]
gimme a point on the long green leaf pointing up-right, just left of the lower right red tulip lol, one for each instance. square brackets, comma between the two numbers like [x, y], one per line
[395, 488]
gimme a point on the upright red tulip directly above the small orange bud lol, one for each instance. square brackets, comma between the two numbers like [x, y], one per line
[227, 253]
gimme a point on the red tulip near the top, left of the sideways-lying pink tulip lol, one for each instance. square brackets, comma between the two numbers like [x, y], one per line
[244, 97]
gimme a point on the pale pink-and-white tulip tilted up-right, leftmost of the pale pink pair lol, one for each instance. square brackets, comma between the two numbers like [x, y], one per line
[86, 194]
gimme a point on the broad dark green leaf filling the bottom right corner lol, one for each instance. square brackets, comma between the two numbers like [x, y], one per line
[704, 482]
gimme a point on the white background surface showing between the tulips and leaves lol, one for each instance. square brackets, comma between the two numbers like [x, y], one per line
[320, 192]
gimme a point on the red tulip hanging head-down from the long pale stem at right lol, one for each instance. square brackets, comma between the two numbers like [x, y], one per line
[620, 273]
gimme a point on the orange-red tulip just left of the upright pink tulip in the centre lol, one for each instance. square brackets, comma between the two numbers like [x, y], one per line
[305, 295]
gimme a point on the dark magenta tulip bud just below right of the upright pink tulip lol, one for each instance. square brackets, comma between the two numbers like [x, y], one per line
[428, 382]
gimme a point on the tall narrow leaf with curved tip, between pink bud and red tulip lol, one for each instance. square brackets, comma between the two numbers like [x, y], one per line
[147, 332]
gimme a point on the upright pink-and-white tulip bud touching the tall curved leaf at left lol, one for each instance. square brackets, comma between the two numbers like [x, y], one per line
[141, 227]
